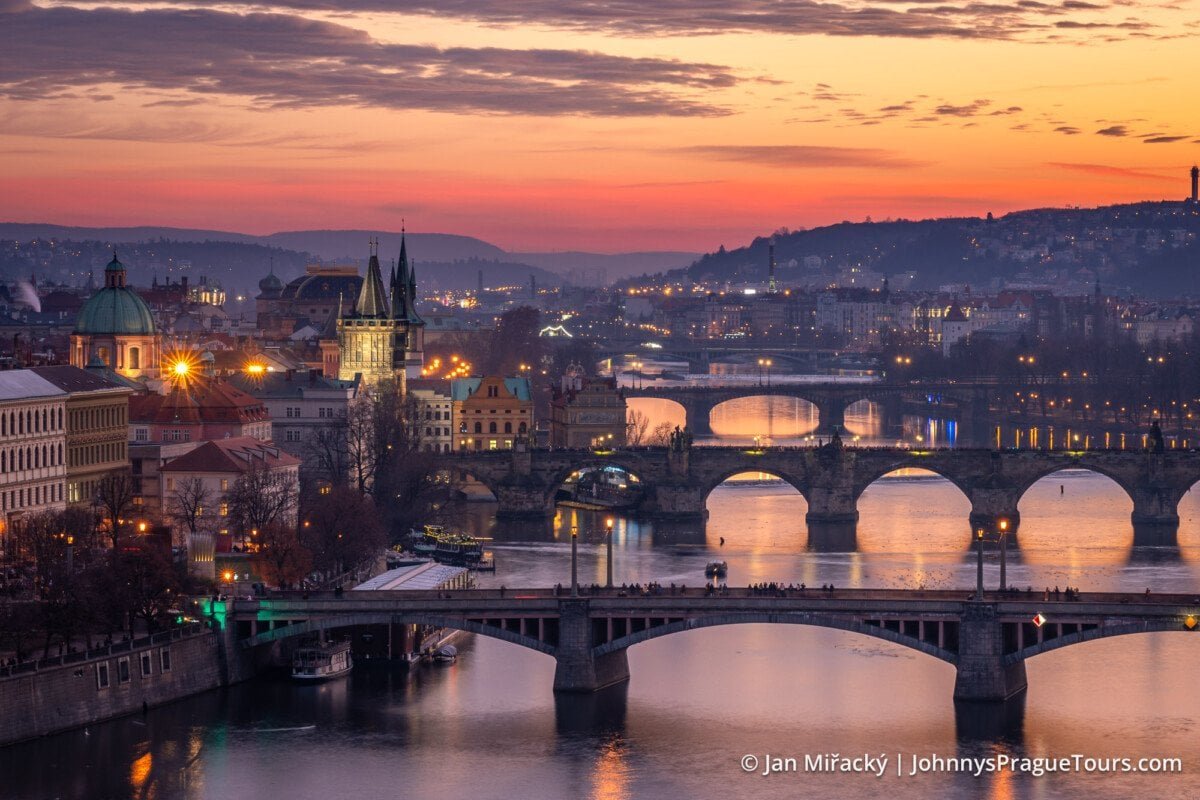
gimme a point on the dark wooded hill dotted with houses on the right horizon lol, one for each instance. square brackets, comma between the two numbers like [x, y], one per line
[1150, 248]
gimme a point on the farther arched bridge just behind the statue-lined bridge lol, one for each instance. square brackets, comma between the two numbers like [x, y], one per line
[970, 401]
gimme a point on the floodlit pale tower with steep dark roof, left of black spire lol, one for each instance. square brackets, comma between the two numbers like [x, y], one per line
[367, 334]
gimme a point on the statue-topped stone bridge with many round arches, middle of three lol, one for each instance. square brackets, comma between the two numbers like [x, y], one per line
[832, 479]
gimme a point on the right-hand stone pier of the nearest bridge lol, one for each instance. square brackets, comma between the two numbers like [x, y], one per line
[982, 671]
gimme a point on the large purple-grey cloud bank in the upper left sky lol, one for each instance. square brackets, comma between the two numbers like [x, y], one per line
[275, 61]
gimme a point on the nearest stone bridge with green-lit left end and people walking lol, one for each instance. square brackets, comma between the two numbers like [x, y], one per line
[988, 640]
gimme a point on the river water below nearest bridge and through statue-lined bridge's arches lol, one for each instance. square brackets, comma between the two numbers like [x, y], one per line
[699, 702]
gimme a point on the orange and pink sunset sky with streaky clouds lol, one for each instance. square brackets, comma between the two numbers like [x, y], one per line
[601, 125]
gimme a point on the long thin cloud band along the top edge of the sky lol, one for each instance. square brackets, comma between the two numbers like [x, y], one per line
[967, 20]
